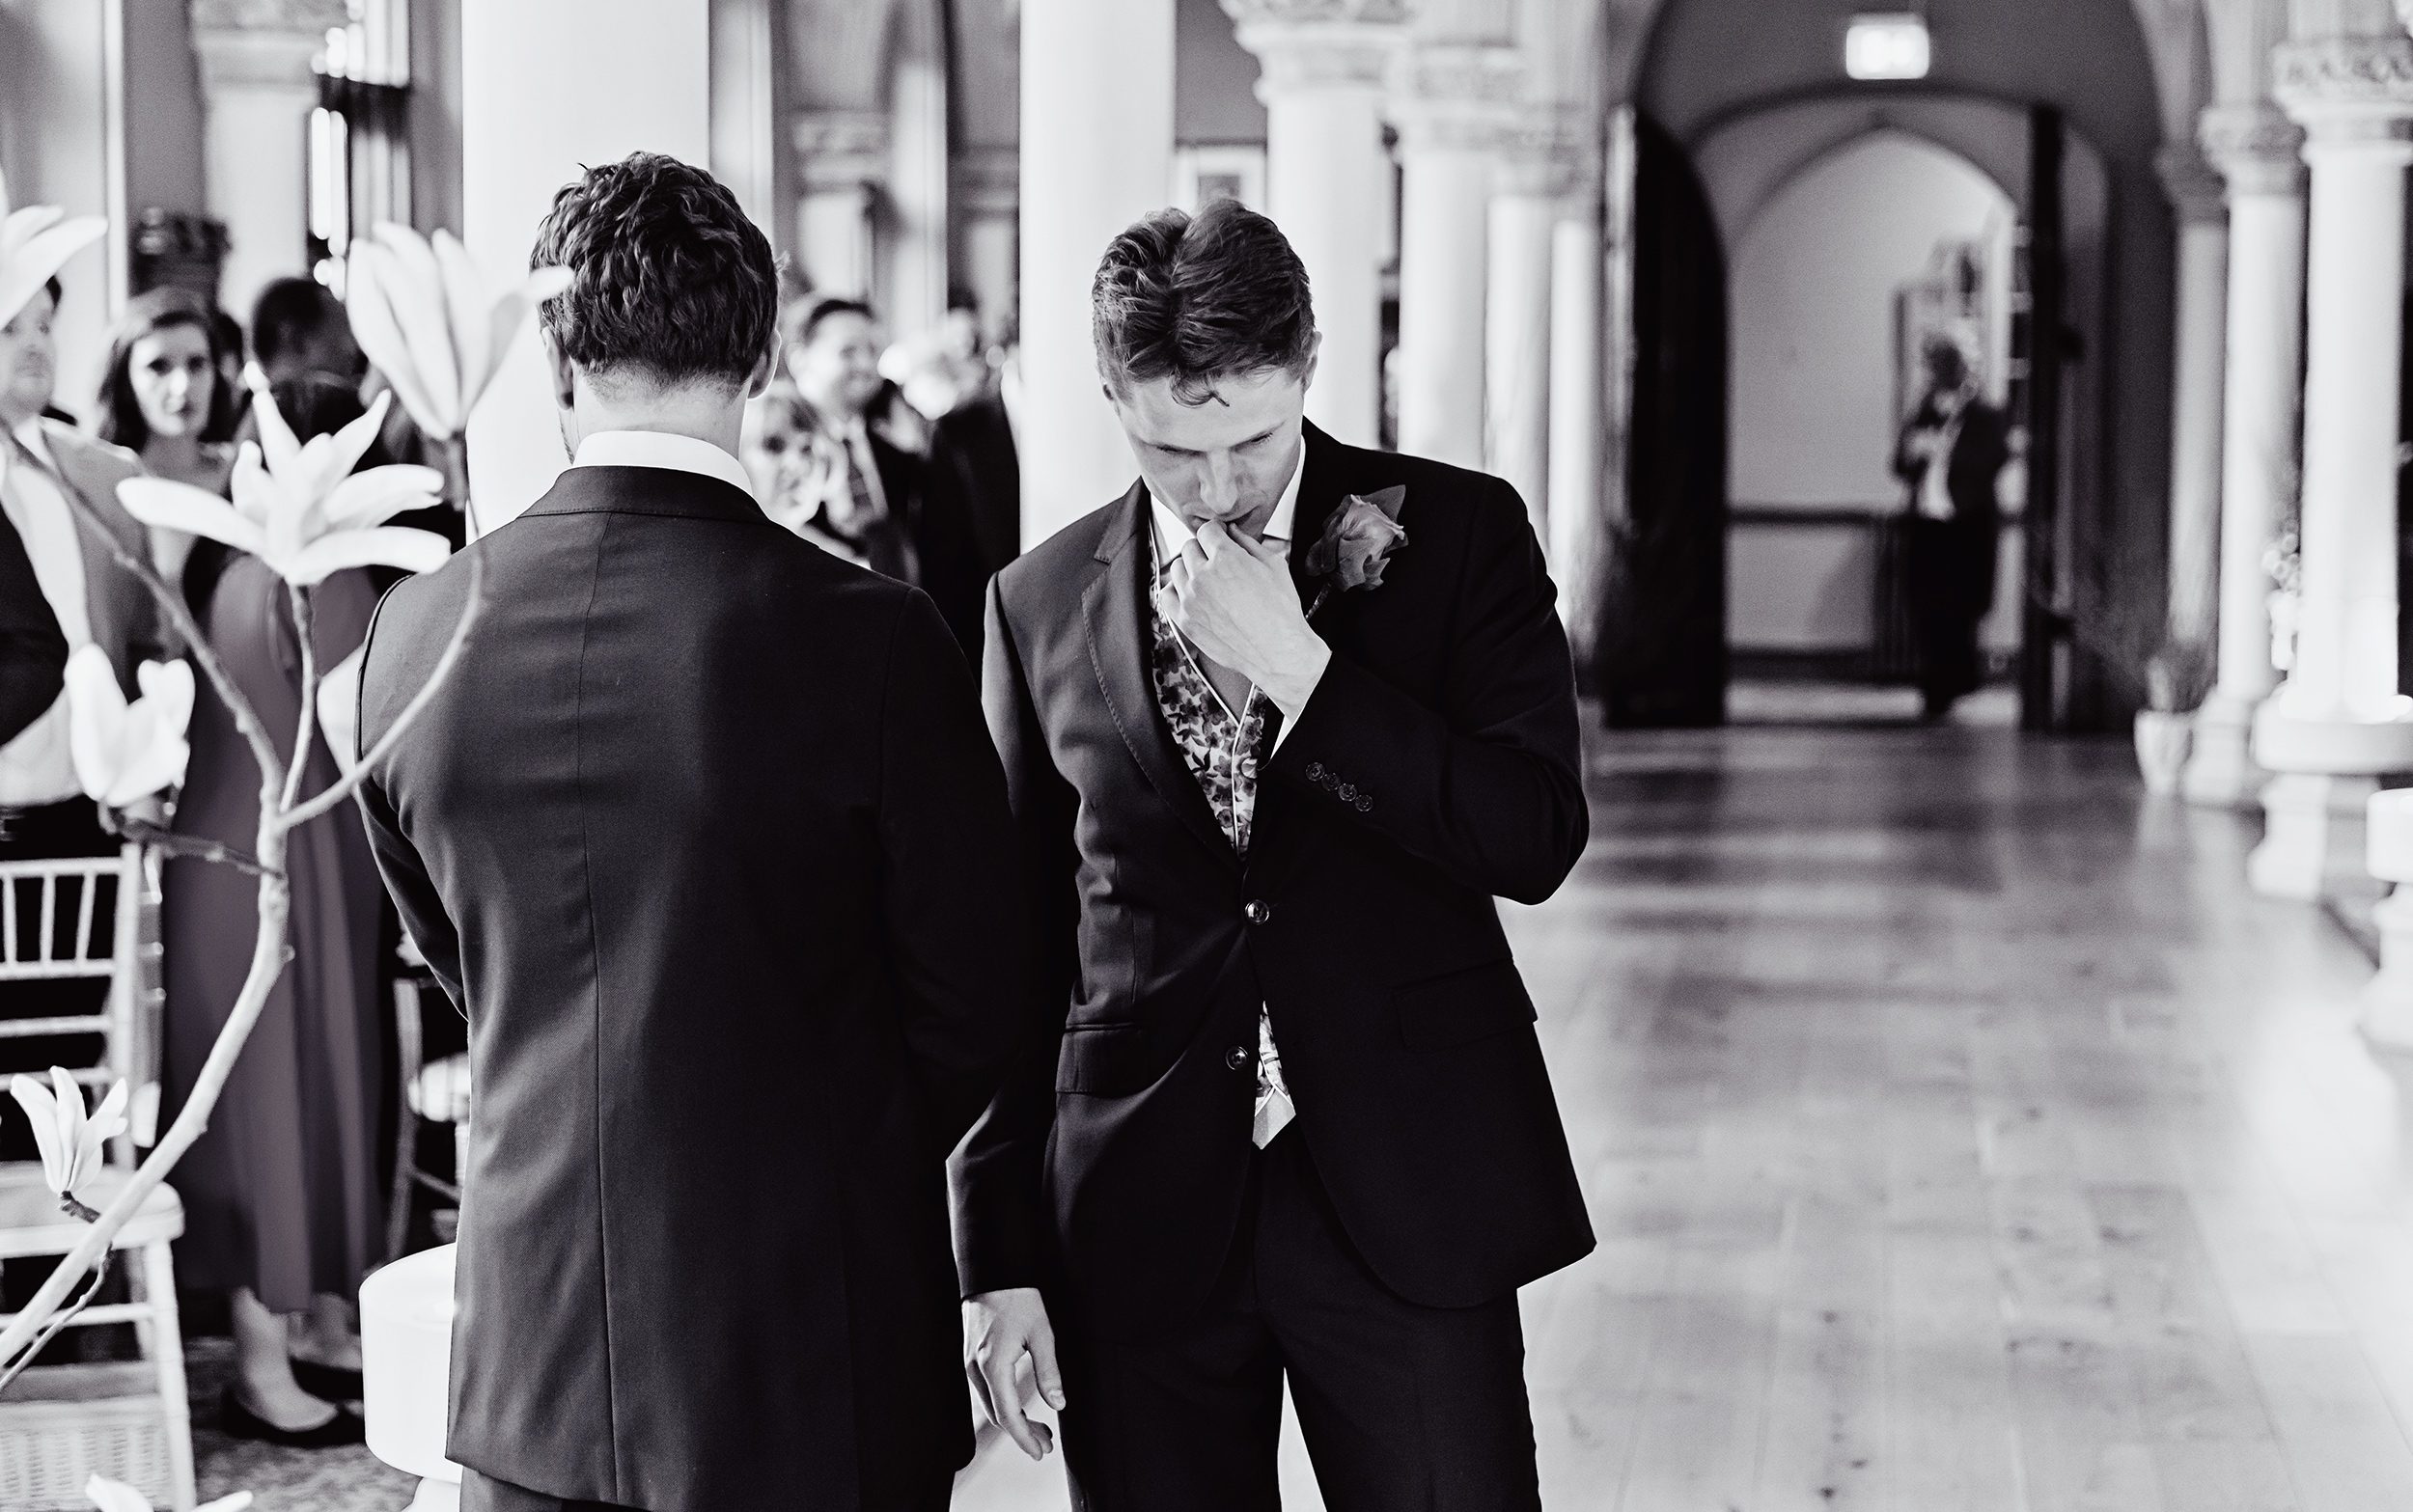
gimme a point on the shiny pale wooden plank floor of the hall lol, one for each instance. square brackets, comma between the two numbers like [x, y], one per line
[1961, 1135]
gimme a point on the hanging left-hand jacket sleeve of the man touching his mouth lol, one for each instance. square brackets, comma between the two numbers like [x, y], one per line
[1000, 1171]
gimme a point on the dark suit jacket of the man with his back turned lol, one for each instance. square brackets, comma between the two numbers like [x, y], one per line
[711, 845]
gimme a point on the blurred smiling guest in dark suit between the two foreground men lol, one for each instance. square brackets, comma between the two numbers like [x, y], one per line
[858, 493]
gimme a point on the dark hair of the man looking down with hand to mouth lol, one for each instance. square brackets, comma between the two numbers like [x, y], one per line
[1200, 298]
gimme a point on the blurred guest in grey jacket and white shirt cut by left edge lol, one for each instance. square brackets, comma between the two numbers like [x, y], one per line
[47, 476]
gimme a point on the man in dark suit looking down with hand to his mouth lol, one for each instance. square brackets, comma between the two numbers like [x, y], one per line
[1278, 727]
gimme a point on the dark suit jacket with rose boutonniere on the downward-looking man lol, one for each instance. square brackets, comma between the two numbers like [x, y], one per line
[1435, 768]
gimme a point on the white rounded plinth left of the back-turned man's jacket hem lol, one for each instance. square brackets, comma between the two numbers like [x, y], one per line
[407, 1369]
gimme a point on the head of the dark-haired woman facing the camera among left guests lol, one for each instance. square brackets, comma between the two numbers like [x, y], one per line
[168, 402]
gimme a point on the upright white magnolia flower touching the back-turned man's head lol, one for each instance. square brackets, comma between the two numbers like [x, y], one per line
[426, 320]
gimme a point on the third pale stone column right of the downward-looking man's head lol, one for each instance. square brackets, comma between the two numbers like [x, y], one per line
[1536, 172]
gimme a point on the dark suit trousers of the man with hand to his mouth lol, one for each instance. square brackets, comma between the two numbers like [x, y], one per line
[1403, 1410]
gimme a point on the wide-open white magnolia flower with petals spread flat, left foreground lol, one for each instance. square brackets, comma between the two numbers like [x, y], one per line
[300, 508]
